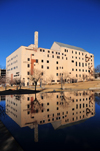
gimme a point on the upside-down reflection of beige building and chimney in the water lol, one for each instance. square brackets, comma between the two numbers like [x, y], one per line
[60, 109]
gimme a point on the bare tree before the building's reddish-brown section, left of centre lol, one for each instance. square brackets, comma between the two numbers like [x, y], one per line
[35, 76]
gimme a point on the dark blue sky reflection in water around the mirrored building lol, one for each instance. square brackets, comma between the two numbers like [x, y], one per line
[84, 135]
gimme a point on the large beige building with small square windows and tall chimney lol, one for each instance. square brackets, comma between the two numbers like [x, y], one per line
[62, 60]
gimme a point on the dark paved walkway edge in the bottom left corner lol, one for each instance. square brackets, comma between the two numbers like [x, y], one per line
[7, 141]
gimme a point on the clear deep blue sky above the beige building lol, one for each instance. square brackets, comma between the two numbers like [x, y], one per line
[73, 22]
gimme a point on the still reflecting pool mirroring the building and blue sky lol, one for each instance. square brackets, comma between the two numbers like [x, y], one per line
[53, 121]
